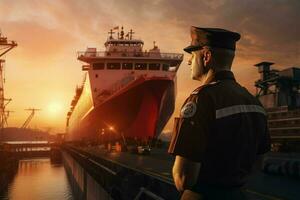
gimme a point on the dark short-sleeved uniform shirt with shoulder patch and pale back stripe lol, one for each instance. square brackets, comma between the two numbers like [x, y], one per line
[224, 127]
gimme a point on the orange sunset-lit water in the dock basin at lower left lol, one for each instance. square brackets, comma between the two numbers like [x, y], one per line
[38, 179]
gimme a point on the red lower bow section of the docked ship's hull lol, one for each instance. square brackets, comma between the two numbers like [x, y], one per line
[138, 111]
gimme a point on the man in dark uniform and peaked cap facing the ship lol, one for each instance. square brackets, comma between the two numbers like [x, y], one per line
[222, 128]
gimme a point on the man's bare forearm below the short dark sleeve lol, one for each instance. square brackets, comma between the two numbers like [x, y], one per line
[185, 173]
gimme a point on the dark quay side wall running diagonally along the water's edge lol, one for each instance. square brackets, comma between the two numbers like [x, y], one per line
[95, 177]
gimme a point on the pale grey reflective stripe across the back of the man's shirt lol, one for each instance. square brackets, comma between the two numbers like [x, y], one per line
[224, 112]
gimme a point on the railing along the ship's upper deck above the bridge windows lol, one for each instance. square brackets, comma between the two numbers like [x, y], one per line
[99, 54]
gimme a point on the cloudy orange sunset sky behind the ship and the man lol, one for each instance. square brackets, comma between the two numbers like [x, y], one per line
[43, 71]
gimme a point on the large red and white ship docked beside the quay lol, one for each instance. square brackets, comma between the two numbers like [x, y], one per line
[127, 92]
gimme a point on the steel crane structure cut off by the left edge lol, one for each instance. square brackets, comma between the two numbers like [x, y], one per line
[5, 47]
